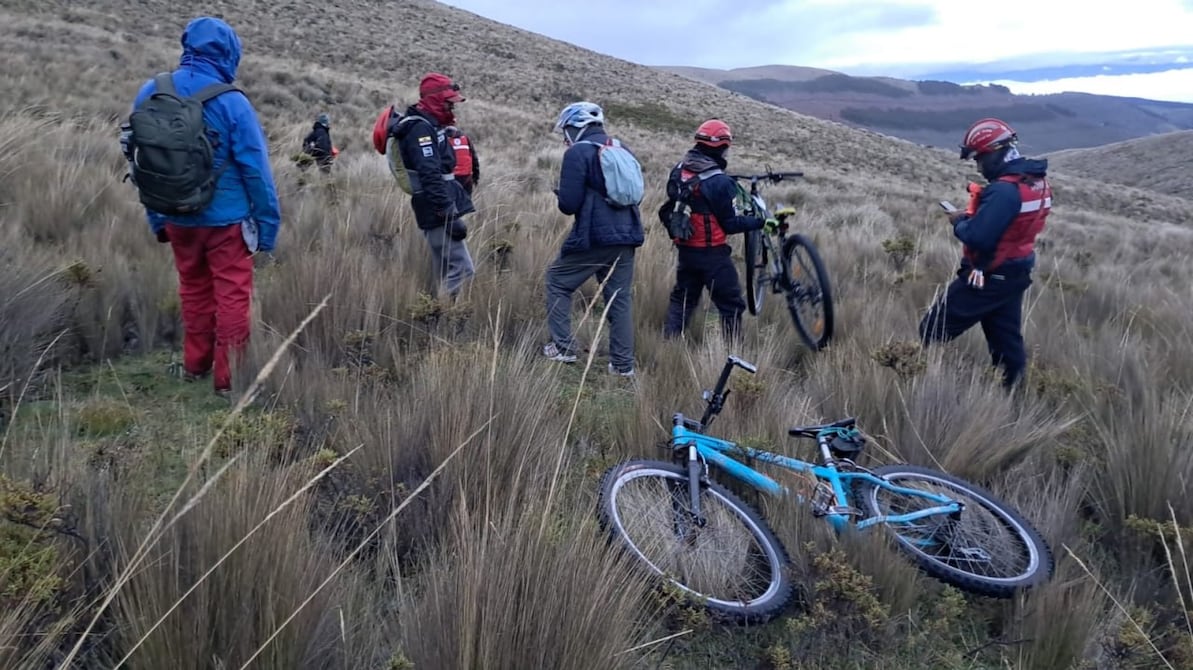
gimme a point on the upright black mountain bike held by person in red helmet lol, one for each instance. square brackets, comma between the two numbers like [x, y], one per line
[778, 263]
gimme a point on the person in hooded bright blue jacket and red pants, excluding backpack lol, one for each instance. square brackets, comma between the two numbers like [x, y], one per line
[214, 249]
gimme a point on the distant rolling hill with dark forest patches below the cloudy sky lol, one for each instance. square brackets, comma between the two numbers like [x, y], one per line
[937, 113]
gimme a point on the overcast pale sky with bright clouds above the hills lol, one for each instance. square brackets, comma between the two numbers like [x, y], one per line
[856, 36]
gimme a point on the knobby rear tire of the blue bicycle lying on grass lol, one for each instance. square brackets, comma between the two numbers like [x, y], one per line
[1041, 563]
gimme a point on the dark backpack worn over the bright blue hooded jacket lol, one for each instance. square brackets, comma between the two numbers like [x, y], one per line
[171, 157]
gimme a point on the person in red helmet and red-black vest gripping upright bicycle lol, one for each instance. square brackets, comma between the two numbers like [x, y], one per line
[700, 218]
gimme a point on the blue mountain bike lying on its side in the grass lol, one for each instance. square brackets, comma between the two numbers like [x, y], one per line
[695, 533]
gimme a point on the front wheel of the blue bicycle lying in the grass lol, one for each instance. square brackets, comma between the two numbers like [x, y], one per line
[730, 559]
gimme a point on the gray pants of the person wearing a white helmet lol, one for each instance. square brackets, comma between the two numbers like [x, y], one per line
[568, 274]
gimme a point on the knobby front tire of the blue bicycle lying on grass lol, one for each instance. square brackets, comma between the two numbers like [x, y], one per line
[780, 588]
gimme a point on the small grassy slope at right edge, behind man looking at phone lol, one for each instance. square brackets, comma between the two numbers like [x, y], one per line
[1155, 164]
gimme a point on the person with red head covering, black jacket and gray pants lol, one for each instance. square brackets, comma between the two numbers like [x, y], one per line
[438, 201]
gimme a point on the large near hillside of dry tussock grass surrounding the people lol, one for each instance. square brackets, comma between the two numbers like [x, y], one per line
[302, 531]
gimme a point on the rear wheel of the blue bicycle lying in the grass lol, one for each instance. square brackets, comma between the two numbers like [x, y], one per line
[990, 550]
